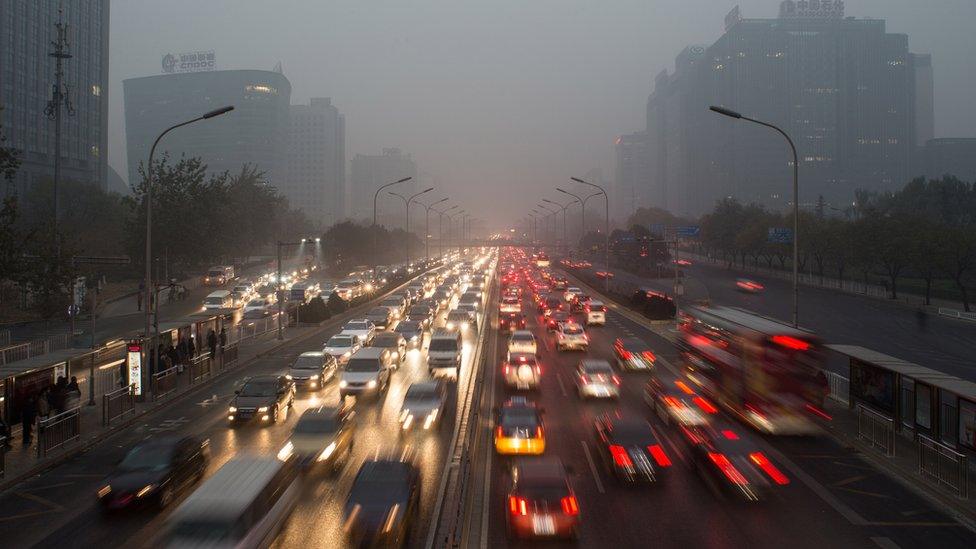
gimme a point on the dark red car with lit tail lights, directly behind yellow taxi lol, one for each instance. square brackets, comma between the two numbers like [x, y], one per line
[540, 501]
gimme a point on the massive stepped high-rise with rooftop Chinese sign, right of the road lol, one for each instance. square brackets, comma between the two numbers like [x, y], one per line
[843, 88]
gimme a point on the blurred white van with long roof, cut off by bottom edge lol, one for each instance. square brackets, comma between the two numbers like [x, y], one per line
[244, 504]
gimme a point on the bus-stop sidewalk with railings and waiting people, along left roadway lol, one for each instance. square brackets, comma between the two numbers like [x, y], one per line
[22, 461]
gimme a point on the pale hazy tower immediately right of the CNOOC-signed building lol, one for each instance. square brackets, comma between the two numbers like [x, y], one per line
[316, 161]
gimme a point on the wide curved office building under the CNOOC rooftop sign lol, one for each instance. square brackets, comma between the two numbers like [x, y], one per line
[254, 133]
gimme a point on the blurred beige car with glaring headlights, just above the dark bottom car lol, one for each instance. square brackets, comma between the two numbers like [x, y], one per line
[322, 439]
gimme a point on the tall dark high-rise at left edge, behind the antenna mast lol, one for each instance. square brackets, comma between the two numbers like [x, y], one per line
[27, 30]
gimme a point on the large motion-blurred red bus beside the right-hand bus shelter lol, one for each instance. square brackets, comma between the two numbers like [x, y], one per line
[766, 373]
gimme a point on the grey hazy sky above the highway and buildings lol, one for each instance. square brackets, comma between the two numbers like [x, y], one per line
[500, 100]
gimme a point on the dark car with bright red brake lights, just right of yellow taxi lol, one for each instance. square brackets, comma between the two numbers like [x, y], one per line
[631, 450]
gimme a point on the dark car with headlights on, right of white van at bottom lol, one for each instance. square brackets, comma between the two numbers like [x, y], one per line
[383, 503]
